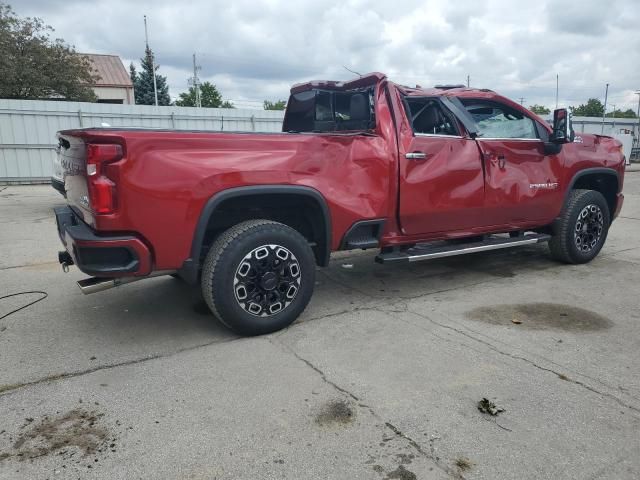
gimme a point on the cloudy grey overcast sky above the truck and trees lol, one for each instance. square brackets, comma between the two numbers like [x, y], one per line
[254, 50]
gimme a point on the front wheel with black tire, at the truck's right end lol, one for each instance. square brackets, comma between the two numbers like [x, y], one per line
[576, 239]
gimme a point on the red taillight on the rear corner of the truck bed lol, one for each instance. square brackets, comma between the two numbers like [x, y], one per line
[102, 189]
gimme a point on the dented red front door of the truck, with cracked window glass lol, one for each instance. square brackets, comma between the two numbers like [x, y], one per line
[522, 182]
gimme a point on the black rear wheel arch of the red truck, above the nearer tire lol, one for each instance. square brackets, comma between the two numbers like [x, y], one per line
[266, 201]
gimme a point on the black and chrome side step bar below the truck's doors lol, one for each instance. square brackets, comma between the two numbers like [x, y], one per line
[430, 251]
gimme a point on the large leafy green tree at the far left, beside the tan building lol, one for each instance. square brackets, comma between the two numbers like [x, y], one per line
[34, 66]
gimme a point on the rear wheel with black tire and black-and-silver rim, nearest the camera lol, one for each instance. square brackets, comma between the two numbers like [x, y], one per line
[225, 281]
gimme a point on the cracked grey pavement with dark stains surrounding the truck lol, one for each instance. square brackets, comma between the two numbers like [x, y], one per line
[379, 378]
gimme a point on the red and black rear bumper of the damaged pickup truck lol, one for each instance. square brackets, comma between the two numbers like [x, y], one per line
[101, 256]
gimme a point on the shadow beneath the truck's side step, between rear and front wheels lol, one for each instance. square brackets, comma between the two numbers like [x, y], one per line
[354, 281]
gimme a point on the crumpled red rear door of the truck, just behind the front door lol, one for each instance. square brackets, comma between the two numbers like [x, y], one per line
[441, 178]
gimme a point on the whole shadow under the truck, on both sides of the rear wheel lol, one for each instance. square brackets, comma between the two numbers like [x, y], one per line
[167, 309]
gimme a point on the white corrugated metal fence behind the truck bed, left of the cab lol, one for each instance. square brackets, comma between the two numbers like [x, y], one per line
[28, 128]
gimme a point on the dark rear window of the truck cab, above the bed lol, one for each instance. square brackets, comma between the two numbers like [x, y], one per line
[330, 111]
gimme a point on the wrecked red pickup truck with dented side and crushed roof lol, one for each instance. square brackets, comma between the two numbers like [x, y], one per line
[416, 173]
